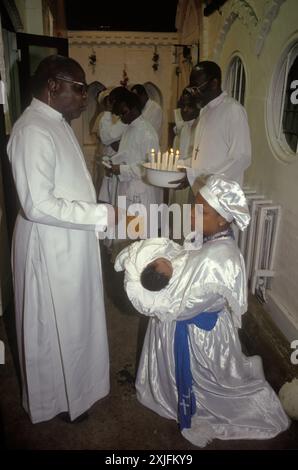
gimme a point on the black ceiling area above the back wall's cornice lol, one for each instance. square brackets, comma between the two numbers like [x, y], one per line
[96, 15]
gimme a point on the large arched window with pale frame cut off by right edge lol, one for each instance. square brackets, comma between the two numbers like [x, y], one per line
[282, 106]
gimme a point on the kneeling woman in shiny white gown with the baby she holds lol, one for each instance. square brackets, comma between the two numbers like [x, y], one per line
[192, 368]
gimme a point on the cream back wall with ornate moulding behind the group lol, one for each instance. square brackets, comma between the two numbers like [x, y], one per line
[135, 51]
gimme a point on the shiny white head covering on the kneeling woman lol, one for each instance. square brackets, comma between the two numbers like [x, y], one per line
[227, 198]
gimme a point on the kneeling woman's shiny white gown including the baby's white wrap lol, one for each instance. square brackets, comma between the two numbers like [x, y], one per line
[233, 399]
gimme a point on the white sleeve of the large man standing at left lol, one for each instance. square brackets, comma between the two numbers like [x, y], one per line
[32, 155]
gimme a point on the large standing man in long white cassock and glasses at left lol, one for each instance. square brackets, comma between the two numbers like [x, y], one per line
[60, 315]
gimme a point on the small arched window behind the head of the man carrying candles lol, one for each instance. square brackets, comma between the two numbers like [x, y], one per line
[235, 80]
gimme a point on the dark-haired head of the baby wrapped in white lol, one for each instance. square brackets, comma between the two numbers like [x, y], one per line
[157, 274]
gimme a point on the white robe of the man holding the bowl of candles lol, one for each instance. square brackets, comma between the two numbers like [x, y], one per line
[222, 140]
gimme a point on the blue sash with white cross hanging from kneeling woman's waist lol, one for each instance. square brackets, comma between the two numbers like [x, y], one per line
[186, 399]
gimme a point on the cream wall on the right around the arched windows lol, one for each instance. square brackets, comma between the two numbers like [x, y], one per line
[220, 38]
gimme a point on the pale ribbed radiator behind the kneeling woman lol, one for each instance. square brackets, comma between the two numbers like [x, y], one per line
[258, 242]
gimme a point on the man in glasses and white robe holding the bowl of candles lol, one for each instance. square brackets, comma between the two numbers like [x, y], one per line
[222, 139]
